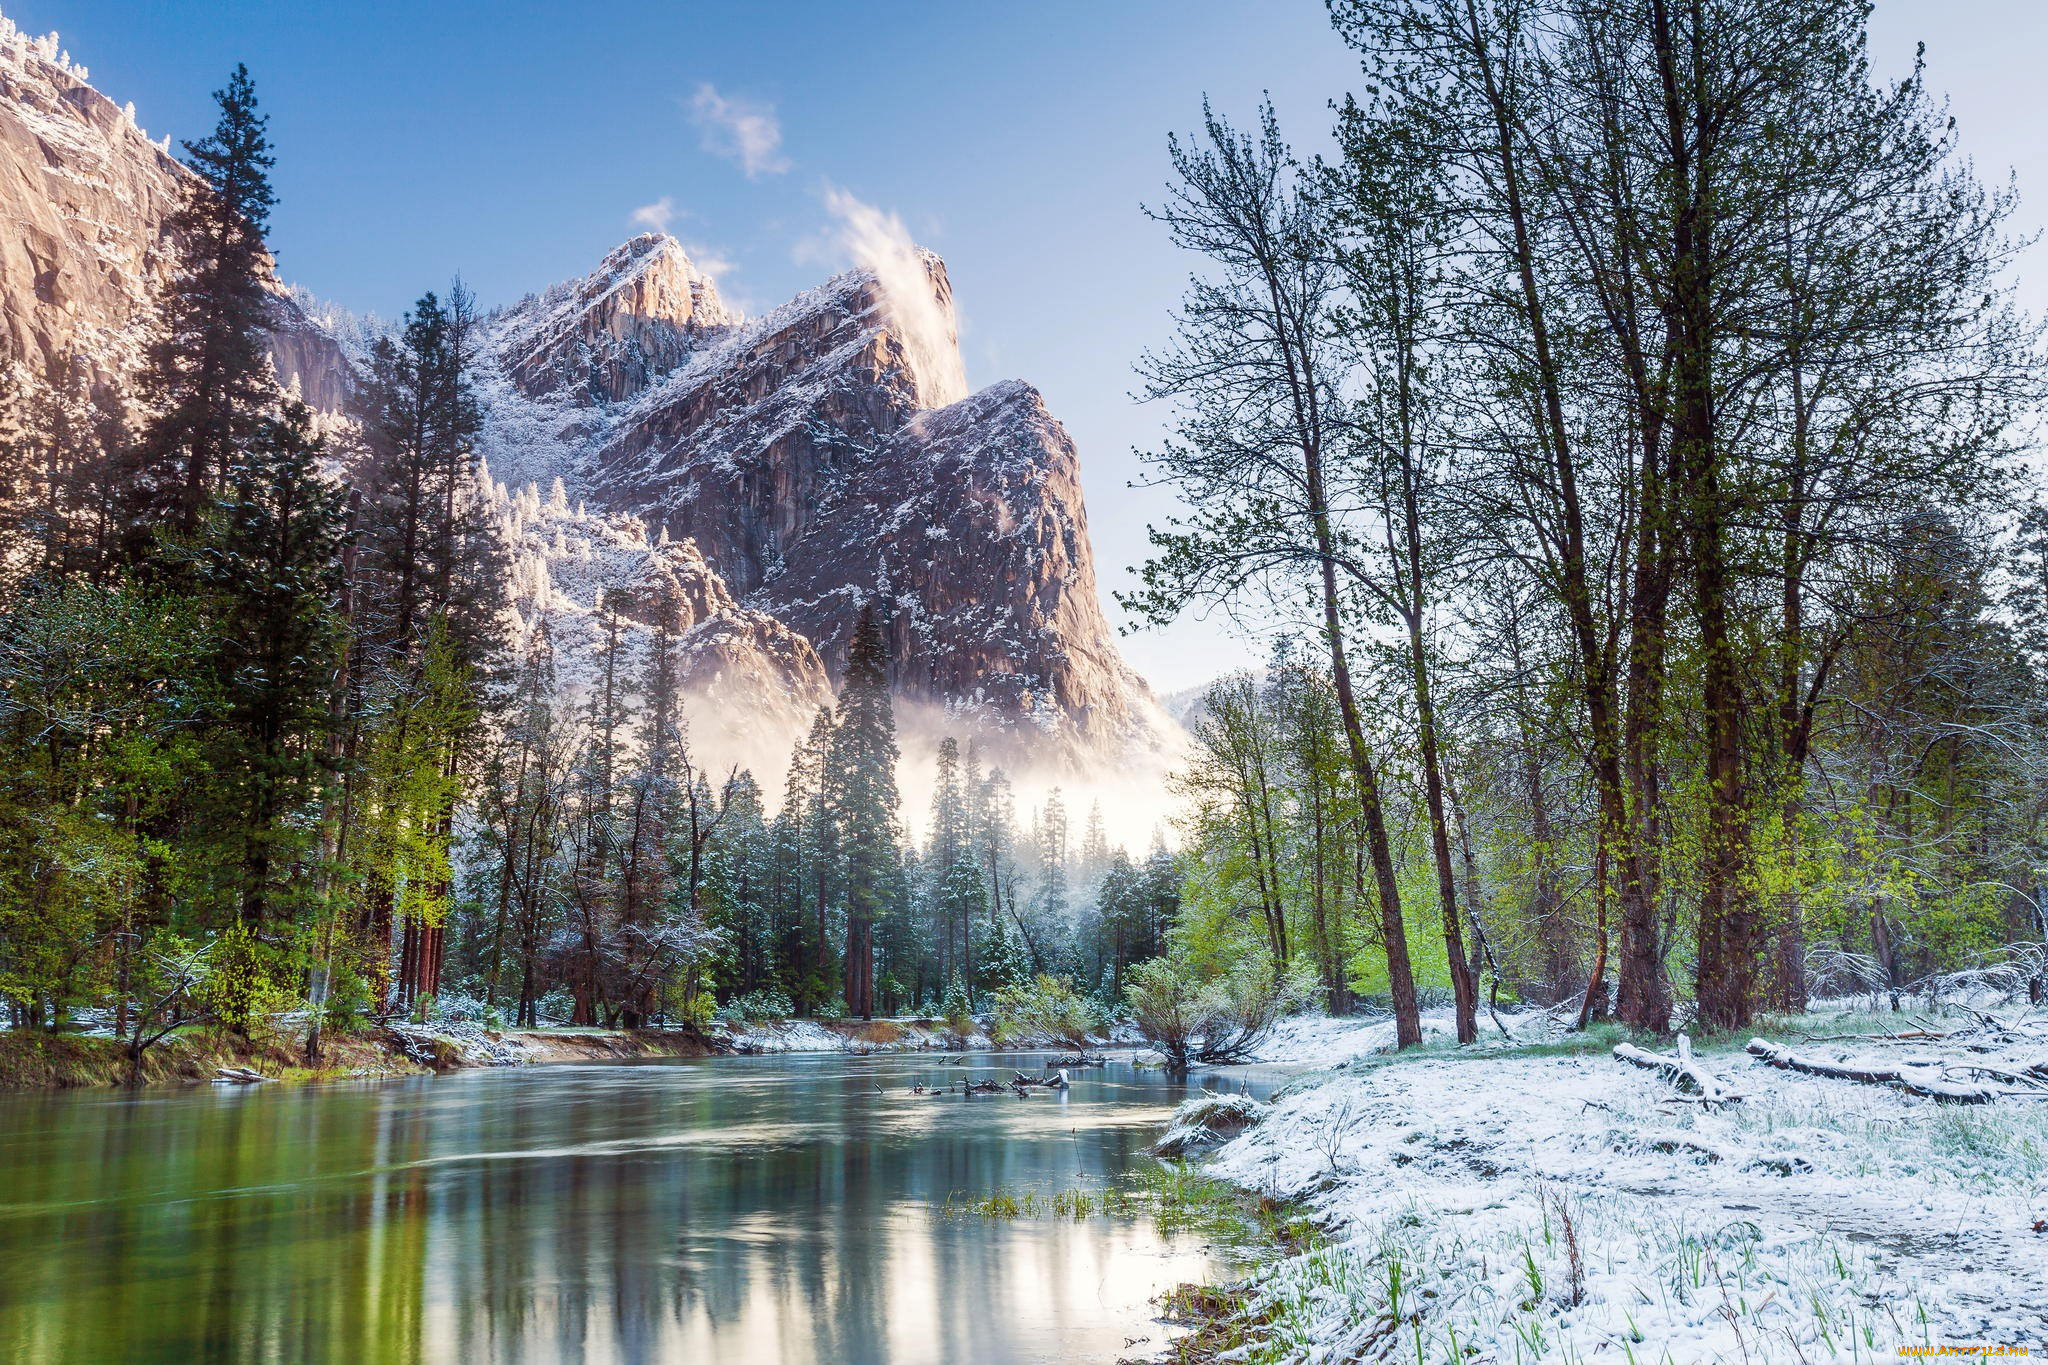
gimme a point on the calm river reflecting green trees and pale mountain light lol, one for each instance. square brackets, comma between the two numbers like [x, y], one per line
[751, 1210]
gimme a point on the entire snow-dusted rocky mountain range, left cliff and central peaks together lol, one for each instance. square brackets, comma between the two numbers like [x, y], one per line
[751, 480]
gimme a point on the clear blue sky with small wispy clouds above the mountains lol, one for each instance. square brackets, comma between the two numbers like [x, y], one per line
[515, 142]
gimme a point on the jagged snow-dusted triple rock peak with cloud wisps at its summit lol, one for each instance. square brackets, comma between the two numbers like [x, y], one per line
[820, 457]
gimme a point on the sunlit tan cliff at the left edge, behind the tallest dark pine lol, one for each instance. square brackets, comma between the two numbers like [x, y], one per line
[85, 195]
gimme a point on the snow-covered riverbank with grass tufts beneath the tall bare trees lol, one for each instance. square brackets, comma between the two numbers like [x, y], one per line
[1519, 1204]
